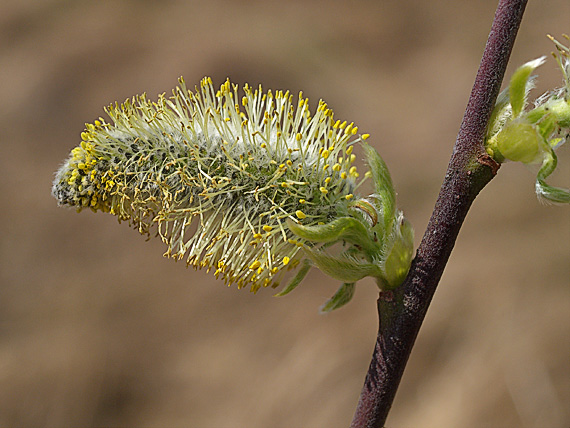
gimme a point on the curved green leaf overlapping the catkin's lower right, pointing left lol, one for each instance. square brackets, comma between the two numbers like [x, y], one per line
[345, 228]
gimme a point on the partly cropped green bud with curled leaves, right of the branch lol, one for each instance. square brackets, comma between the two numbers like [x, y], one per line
[530, 136]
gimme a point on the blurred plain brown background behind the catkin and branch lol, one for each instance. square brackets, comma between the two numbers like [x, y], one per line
[96, 328]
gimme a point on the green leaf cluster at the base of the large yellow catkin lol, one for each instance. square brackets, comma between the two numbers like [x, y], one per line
[378, 238]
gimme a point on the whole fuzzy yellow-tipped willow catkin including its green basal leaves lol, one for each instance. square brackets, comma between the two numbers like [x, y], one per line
[249, 187]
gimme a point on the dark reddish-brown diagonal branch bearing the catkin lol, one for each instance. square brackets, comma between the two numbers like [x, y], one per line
[402, 311]
